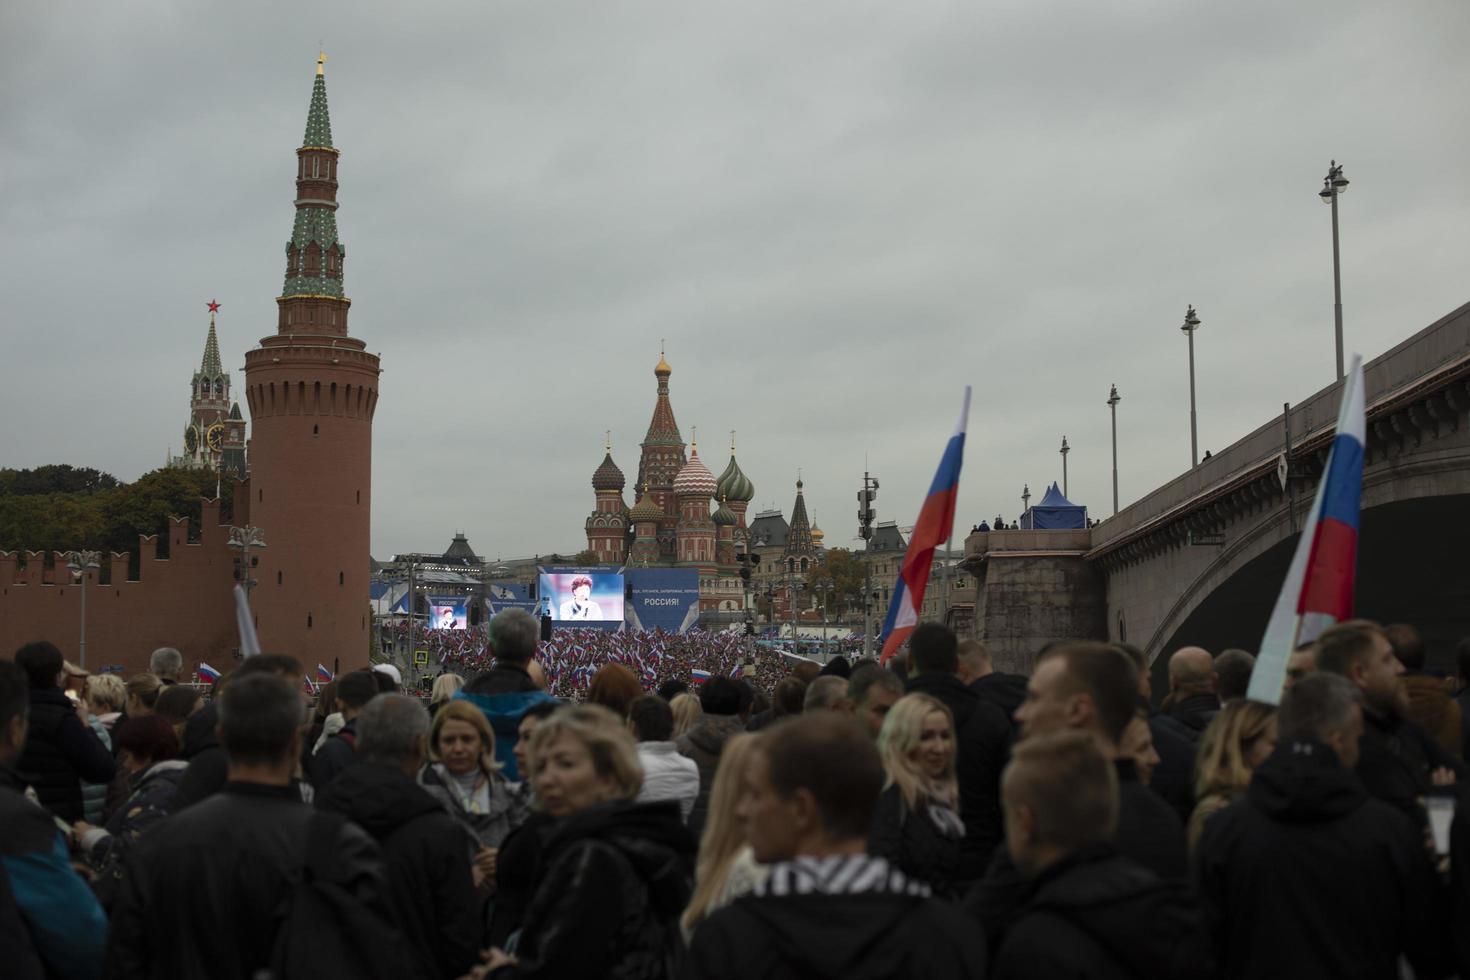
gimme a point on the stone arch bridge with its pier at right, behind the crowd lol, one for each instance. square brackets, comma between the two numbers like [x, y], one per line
[1200, 561]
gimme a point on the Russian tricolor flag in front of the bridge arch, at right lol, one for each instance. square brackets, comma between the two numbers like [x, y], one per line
[1318, 591]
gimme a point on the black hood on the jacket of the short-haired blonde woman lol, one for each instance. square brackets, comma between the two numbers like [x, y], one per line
[652, 837]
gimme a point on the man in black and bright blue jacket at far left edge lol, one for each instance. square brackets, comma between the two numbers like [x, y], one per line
[51, 922]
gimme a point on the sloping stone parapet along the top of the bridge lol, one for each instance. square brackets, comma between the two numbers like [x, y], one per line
[1440, 346]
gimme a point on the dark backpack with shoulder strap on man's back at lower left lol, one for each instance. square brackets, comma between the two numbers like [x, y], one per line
[329, 932]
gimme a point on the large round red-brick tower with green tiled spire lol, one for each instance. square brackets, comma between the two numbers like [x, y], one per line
[312, 392]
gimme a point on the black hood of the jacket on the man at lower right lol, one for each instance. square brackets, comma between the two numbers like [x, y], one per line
[1305, 782]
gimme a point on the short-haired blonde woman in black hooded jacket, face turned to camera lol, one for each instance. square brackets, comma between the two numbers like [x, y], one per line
[615, 873]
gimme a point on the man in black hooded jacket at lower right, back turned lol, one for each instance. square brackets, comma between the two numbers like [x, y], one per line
[1309, 876]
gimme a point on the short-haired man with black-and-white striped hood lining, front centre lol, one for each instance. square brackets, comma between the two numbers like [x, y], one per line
[827, 909]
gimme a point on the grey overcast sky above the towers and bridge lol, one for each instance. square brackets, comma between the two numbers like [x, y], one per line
[837, 214]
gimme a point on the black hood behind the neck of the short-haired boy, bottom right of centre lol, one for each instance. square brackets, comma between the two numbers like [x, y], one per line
[1147, 926]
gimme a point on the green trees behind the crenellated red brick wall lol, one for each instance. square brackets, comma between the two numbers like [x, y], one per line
[62, 508]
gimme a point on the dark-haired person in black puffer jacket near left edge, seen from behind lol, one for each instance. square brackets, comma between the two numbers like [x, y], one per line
[61, 750]
